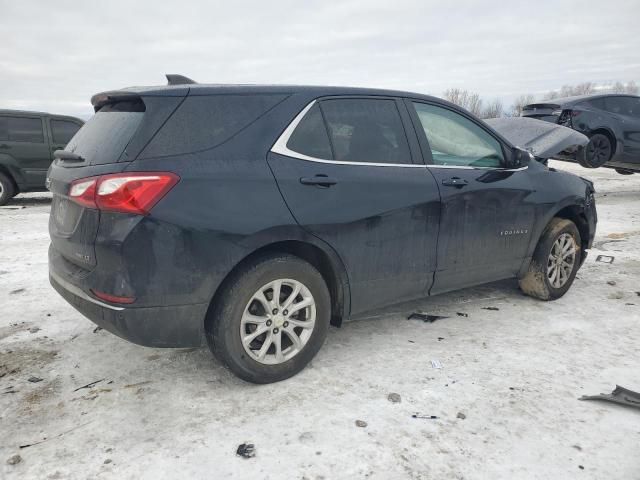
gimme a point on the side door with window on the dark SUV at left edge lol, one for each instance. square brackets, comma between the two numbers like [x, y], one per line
[22, 139]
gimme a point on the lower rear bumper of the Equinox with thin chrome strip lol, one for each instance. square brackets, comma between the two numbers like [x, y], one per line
[172, 326]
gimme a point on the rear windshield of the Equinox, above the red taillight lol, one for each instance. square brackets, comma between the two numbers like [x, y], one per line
[105, 136]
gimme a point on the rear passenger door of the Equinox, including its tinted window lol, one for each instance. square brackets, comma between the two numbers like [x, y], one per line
[346, 169]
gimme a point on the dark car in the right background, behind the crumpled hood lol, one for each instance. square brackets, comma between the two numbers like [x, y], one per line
[612, 123]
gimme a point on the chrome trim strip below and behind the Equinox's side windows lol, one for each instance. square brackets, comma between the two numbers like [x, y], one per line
[280, 147]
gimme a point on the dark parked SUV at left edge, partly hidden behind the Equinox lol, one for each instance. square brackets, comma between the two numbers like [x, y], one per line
[27, 143]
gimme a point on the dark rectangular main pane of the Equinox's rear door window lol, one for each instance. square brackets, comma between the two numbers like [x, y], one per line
[366, 130]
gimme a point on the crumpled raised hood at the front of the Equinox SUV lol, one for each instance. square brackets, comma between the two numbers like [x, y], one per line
[543, 139]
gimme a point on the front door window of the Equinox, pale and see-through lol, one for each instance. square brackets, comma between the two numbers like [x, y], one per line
[457, 141]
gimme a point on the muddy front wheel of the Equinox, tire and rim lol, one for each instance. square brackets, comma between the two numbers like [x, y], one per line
[539, 281]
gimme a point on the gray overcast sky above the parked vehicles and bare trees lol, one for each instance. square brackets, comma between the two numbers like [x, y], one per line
[56, 54]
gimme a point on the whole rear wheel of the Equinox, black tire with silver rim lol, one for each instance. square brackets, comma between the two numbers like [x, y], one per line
[232, 317]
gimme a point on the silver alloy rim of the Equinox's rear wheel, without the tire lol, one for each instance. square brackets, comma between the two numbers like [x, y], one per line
[278, 321]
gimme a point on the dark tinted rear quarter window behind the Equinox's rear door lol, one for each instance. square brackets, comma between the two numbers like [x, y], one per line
[206, 121]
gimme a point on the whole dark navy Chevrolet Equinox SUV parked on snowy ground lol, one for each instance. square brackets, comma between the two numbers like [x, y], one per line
[252, 217]
